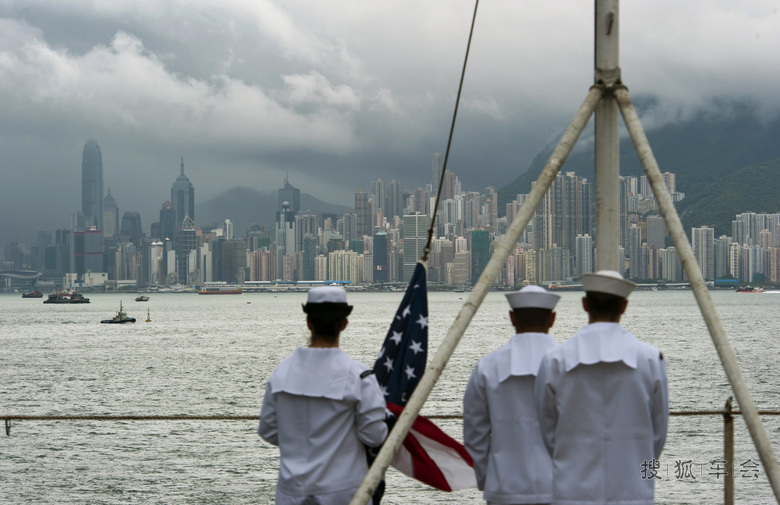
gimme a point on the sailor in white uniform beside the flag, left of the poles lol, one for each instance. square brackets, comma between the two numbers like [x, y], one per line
[320, 408]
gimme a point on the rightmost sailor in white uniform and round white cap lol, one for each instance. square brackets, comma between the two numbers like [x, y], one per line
[602, 402]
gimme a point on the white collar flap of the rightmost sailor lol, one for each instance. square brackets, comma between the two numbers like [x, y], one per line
[600, 342]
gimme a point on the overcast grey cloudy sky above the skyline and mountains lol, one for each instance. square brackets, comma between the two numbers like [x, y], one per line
[336, 93]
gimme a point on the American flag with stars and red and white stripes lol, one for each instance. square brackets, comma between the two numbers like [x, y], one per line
[428, 454]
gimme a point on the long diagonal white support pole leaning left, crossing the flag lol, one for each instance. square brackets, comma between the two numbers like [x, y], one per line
[478, 293]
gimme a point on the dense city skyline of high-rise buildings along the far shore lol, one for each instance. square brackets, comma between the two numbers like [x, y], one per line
[379, 240]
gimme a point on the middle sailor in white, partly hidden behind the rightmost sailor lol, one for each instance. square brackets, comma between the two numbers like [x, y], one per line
[500, 424]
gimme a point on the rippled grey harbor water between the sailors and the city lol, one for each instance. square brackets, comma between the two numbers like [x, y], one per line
[212, 355]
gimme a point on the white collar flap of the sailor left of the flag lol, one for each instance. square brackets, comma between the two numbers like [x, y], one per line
[315, 372]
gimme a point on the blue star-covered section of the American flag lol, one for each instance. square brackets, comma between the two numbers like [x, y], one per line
[401, 361]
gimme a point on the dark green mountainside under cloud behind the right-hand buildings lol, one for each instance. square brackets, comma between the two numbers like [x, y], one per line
[710, 145]
